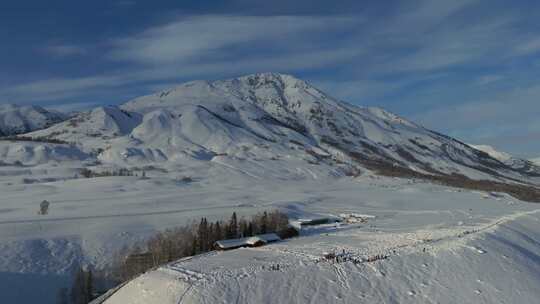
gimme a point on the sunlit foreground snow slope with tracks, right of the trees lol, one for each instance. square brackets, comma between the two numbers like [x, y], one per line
[492, 262]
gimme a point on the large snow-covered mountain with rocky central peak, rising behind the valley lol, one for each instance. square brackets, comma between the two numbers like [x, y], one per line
[271, 117]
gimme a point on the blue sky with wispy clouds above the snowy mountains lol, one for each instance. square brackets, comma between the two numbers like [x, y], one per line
[468, 68]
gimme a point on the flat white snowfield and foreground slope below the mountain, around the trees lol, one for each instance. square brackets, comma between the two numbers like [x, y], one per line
[441, 242]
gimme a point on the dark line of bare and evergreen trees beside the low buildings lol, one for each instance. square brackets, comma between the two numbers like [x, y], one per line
[170, 245]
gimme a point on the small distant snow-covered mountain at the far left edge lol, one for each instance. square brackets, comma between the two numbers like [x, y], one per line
[15, 119]
